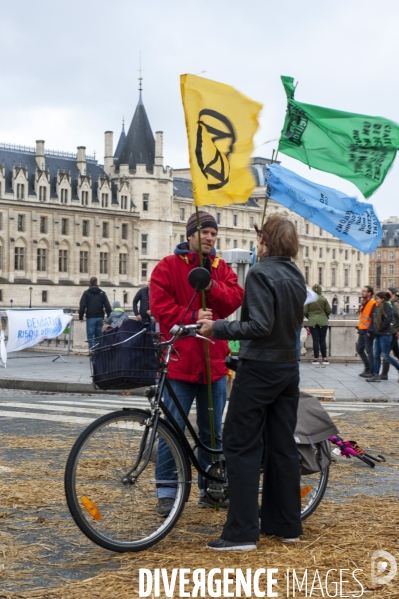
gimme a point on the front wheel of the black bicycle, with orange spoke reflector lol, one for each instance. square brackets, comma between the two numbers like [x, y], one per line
[115, 514]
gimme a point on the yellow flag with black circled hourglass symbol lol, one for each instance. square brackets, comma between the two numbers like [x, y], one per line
[221, 123]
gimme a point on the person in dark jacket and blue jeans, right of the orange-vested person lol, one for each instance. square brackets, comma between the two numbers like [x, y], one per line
[380, 328]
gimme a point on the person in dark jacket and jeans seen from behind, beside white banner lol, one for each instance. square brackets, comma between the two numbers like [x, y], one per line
[93, 303]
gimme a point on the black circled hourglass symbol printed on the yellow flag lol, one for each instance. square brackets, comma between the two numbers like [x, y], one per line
[215, 142]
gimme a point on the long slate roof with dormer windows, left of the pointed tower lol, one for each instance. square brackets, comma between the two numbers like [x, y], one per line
[26, 158]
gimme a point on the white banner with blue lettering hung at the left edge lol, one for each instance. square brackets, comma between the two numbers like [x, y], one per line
[28, 327]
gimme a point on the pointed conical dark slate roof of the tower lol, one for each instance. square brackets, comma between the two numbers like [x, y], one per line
[139, 145]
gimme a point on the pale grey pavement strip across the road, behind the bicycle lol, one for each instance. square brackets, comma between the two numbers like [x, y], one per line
[73, 375]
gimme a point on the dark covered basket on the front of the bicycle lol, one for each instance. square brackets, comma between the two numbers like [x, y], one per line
[124, 358]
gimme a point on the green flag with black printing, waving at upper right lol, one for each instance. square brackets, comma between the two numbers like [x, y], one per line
[353, 146]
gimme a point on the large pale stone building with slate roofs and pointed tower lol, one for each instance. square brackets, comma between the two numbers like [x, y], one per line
[64, 218]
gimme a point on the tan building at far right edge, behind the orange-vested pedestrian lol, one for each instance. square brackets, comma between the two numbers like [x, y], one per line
[384, 263]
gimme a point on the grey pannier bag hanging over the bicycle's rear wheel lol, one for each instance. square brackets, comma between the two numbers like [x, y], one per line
[314, 427]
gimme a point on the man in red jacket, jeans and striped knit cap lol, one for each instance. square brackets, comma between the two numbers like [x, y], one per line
[170, 296]
